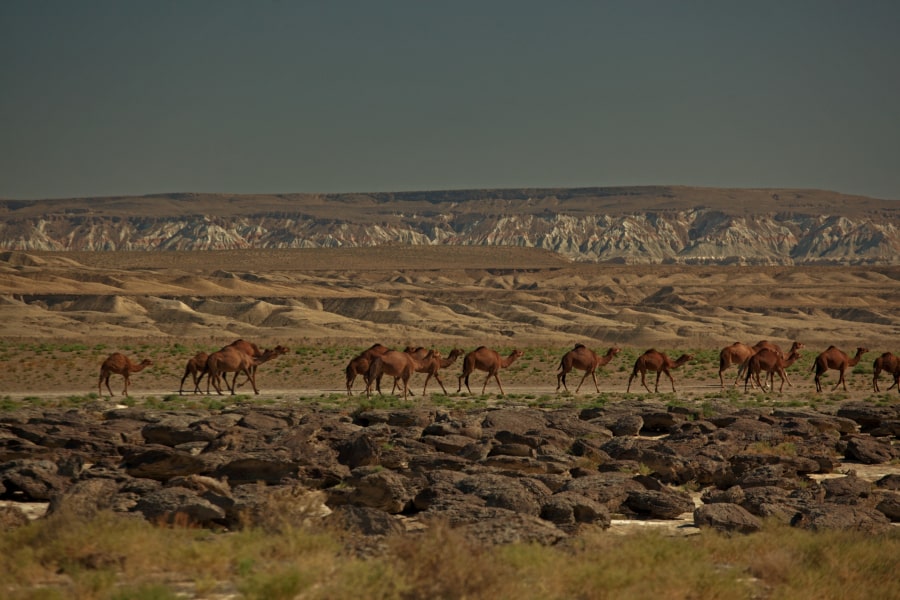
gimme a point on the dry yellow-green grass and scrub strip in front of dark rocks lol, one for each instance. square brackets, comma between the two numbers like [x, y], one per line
[115, 557]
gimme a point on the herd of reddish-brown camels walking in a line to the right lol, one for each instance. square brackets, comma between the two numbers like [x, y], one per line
[242, 358]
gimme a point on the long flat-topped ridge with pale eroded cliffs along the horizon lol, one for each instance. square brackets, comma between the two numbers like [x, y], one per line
[626, 225]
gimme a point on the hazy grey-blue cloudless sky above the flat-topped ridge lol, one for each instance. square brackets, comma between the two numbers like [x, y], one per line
[136, 97]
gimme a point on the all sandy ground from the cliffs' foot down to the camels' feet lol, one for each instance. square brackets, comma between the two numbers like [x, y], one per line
[62, 313]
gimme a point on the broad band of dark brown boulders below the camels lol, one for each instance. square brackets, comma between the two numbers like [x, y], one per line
[504, 474]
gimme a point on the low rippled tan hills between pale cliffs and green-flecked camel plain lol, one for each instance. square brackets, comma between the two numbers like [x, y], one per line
[466, 295]
